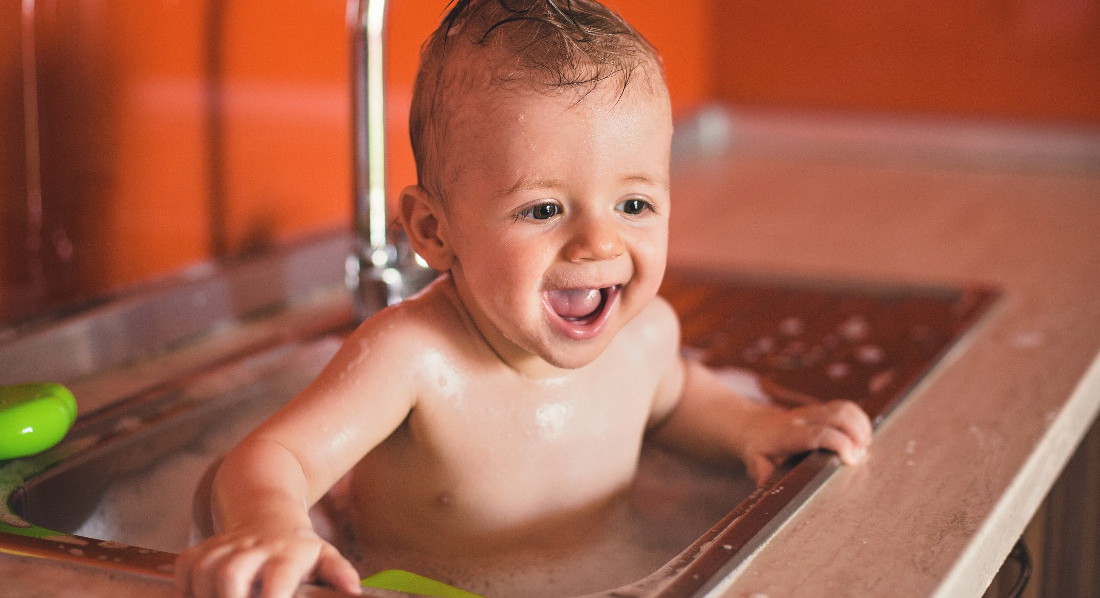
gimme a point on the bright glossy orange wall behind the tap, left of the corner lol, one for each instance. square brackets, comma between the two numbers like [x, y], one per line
[173, 132]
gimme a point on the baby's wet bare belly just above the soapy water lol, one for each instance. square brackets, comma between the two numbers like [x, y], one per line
[485, 512]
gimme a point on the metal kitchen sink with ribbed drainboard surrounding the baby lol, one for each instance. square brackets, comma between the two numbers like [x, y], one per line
[117, 493]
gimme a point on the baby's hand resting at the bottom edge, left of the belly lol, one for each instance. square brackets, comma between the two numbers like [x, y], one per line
[277, 561]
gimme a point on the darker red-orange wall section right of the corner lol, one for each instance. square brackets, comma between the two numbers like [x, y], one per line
[1024, 60]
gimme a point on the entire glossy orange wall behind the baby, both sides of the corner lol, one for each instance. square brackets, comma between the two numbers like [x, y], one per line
[171, 132]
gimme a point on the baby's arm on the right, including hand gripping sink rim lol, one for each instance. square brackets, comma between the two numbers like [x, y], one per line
[707, 419]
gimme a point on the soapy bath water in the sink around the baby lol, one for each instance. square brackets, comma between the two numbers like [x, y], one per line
[139, 490]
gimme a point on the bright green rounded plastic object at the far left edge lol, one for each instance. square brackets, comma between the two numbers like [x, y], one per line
[34, 417]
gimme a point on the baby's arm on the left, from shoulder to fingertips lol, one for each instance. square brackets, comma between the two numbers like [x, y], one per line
[265, 488]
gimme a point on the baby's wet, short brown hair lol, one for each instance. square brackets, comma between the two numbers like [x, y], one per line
[540, 46]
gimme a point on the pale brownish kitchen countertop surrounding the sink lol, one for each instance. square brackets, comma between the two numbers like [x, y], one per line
[958, 472]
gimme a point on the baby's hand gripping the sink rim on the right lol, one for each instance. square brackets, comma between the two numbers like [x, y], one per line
[776, 435]
